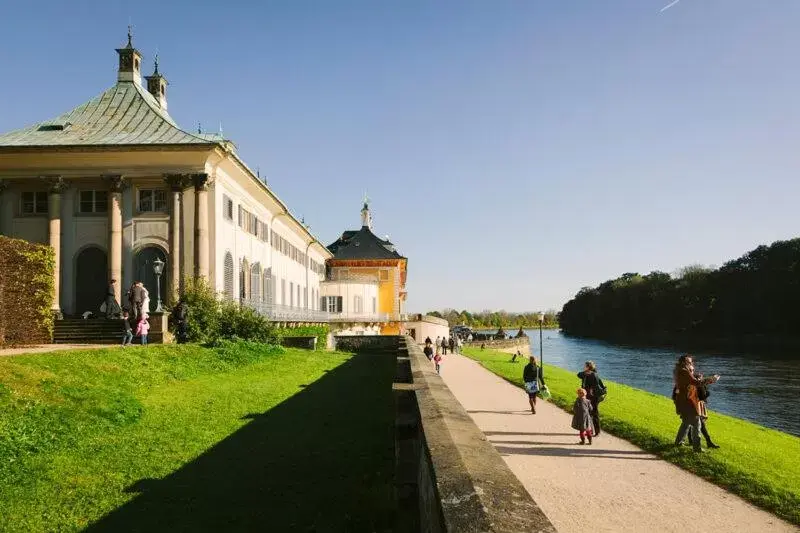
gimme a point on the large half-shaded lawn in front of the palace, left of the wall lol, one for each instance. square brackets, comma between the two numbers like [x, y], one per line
[165, 438]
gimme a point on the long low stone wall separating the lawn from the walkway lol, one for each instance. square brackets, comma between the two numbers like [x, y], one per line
[449, 477]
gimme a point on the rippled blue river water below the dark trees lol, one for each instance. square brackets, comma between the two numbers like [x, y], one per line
[762, 389]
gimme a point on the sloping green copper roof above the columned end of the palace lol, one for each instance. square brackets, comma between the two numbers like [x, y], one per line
[125, 114]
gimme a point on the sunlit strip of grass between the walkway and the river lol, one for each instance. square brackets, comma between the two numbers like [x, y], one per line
[760, 464]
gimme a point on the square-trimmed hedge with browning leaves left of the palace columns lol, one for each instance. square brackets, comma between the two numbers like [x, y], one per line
[26, 292]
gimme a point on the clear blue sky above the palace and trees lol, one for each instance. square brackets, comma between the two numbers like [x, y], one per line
[515, 151]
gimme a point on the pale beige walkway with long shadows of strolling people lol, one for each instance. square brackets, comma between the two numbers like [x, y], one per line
[610, 486]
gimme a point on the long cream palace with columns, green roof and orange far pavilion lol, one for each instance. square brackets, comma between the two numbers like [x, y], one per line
[115, 184]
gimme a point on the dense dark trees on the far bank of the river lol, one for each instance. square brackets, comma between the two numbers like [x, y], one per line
[756, 294]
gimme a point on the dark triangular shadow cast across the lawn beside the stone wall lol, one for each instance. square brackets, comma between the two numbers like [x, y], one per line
[322, 460]
